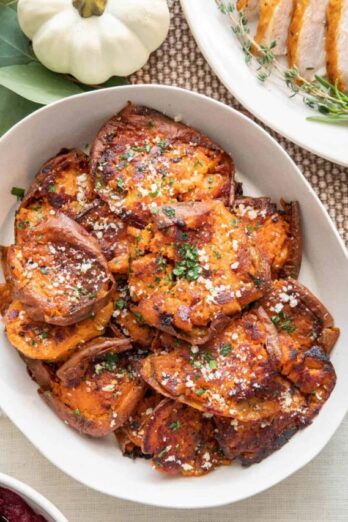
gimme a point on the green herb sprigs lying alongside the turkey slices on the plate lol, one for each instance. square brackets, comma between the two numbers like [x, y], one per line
[319, 94]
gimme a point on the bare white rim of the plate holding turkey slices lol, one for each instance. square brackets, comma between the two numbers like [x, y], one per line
[268, 102]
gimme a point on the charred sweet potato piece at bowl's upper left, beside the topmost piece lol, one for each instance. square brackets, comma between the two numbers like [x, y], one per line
[63, 184]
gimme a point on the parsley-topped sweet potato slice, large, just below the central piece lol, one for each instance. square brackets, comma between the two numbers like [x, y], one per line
[233, 375]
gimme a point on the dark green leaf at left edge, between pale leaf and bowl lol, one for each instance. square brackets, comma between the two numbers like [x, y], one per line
[13, 108]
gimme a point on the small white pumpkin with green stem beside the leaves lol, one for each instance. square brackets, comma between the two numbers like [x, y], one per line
[94, 39]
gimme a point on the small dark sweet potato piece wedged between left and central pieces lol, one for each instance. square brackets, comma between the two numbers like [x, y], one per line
[111, 234]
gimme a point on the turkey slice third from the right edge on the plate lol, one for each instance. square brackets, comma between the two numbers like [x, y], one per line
[274, 21]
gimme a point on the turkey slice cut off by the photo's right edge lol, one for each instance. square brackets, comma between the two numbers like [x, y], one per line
[337, 43]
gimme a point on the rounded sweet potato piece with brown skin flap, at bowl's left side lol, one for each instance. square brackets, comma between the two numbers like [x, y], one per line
[58, 230]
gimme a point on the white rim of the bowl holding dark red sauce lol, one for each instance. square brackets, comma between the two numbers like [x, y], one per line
[35, 500]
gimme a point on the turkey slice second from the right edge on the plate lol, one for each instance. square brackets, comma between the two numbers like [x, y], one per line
[307, 35]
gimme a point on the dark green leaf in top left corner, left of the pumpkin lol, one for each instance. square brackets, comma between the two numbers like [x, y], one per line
[14, 45]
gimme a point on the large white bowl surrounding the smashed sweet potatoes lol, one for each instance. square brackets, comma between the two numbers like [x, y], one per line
[266, 170]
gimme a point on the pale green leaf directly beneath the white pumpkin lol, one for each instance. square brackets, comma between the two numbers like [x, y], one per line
[36, 83]
